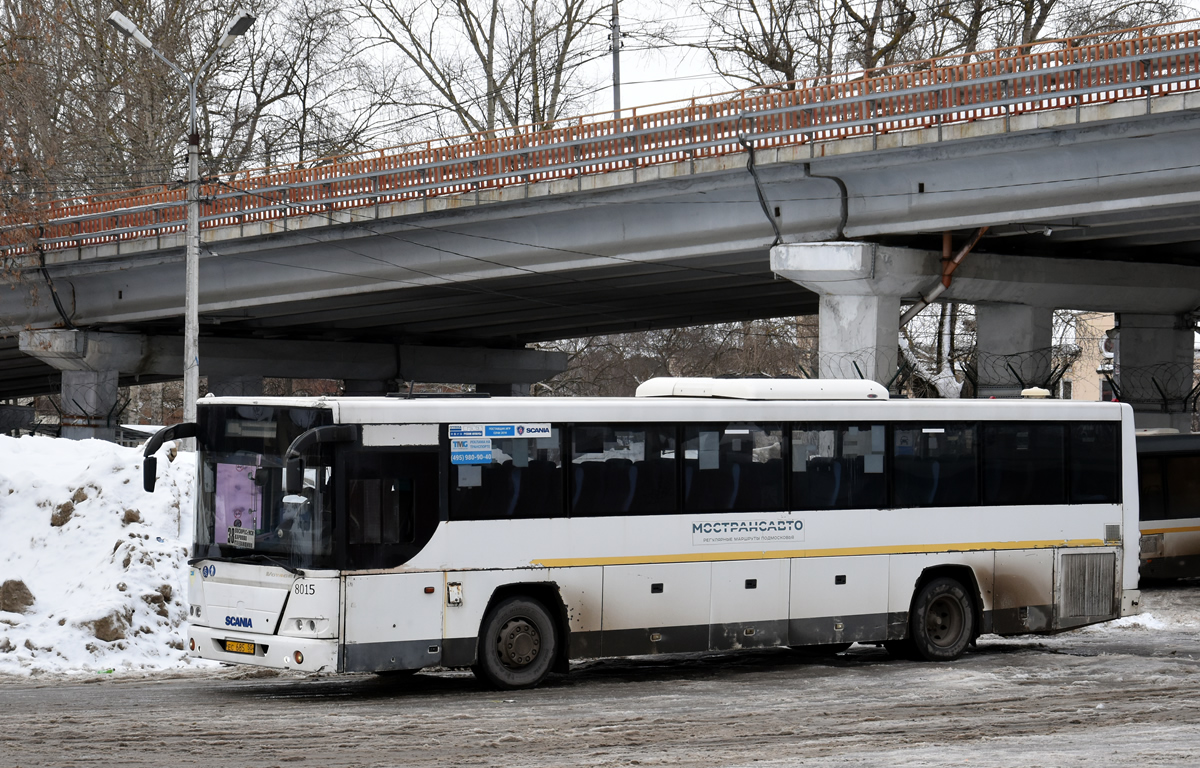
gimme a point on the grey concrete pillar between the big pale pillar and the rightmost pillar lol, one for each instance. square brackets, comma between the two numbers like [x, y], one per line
[1013, 343]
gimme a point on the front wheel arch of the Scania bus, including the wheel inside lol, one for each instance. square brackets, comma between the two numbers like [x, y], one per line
[524, 608]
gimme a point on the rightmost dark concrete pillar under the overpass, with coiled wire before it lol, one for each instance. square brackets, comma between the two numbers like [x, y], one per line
[1155, 361]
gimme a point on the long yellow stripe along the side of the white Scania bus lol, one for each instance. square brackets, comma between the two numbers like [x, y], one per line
[917, 549]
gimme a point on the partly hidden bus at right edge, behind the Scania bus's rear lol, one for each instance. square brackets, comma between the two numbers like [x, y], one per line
[1169, 496]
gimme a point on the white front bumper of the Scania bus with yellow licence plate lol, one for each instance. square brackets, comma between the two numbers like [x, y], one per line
[279, 652]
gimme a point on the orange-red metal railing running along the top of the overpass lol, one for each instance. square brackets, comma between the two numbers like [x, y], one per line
[1060, 75]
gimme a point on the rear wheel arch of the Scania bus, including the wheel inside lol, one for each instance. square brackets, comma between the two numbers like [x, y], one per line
[946, 614]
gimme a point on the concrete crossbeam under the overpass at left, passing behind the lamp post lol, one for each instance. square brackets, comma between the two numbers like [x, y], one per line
[243, 359]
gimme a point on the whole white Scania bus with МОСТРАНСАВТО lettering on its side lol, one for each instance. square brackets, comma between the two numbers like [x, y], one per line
[514, 536]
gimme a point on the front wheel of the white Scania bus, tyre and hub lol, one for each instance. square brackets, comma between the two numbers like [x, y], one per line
[518, 645]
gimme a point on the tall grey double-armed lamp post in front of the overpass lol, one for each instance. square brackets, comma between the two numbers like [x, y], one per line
[243, 21]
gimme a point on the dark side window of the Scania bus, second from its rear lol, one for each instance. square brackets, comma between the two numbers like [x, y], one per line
[1024, 464]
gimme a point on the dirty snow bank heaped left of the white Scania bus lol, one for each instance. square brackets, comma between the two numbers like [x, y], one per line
[93, 569]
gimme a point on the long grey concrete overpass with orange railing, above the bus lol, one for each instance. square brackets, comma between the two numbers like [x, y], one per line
[1077, 158]
